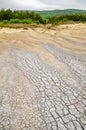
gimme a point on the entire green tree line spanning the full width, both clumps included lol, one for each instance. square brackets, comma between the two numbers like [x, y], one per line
[29, 17]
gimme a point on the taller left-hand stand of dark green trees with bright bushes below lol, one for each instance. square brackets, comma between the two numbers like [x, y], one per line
[17, 16]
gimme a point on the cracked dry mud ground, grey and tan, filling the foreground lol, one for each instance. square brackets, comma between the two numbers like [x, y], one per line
[43, 78]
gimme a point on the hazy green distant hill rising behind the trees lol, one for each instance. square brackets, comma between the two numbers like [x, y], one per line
[48, 13]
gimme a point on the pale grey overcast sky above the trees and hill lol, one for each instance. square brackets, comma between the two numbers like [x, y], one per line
[43, 4]
